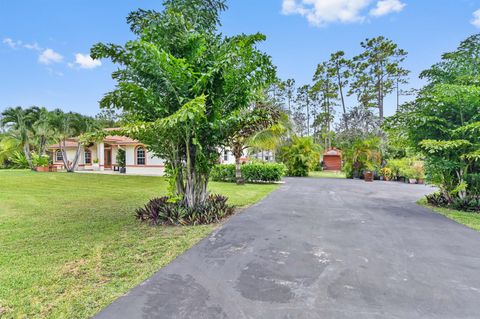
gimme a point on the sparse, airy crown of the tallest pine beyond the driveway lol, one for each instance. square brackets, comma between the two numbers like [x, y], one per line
[377, 70]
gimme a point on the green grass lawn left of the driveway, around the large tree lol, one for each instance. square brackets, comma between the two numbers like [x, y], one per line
[70, 245]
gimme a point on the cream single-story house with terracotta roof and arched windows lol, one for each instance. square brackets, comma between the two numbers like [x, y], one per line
[103, 155]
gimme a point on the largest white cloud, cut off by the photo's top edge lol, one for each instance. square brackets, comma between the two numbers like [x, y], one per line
[323, 12]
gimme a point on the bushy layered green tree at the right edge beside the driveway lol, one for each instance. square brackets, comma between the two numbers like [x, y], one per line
[443, 123]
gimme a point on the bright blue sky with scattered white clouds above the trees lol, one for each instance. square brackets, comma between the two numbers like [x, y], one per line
[44, 44]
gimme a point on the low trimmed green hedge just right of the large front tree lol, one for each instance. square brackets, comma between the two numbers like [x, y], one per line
[252, 173]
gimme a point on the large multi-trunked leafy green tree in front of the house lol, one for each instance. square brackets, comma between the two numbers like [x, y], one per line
[181, 84]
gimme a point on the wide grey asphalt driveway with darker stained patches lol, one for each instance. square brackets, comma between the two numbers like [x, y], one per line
[321, 248]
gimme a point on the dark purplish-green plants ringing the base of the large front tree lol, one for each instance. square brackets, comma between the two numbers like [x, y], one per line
[165, 211]
